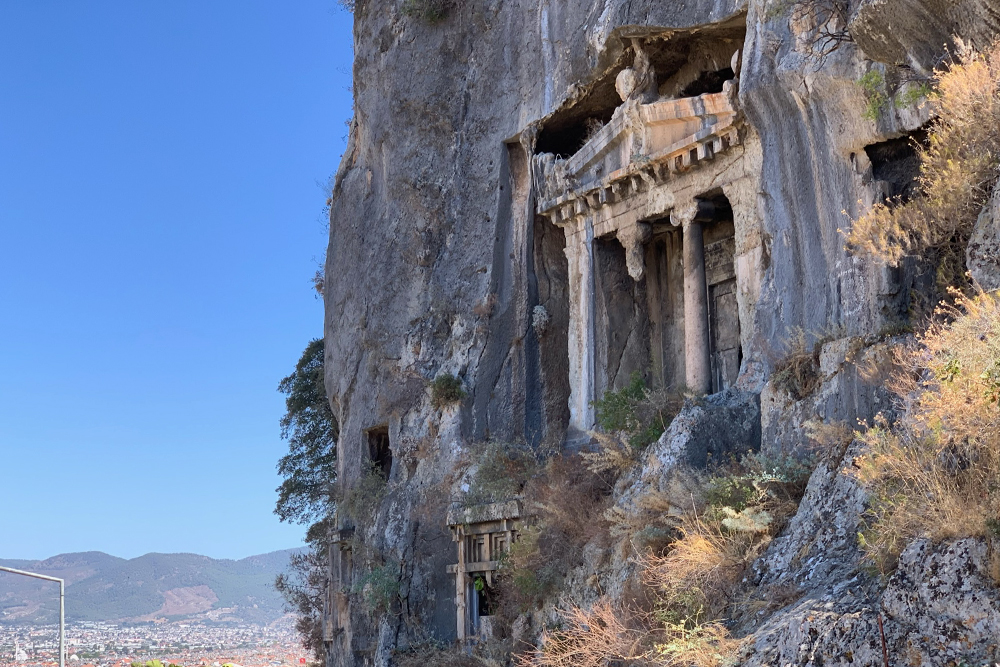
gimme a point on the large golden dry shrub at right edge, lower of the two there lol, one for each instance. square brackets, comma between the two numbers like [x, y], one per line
[935, 471]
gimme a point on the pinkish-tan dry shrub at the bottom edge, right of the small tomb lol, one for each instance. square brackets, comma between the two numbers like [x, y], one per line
[591, 638]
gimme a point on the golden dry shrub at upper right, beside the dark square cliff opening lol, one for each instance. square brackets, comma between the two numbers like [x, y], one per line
[958, 169]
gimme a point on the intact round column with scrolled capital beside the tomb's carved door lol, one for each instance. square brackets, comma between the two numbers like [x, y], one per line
[697, 353]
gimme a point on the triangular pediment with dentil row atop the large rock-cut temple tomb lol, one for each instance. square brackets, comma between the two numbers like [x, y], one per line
[642, 146]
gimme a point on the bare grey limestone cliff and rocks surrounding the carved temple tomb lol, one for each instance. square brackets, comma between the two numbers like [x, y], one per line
[438, 263]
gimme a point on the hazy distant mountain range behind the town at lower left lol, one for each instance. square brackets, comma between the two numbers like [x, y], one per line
[100, 587]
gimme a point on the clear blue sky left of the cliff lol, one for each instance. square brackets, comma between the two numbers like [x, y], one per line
[161, 215]
